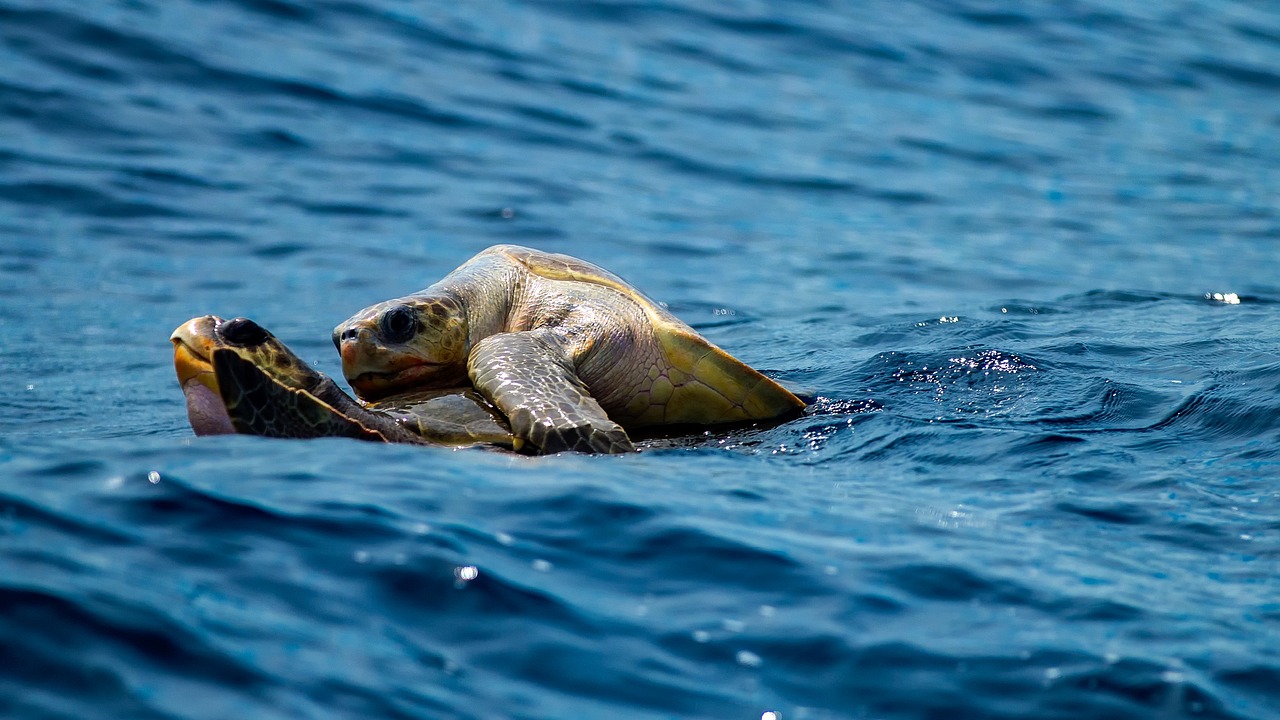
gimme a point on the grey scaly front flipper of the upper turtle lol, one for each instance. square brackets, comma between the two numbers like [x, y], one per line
[533, 382]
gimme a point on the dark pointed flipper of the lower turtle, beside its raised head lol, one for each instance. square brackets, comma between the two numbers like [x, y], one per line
[262, 405]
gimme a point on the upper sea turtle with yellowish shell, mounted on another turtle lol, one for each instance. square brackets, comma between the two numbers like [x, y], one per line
[569, 352]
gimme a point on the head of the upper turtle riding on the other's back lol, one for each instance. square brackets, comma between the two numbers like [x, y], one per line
[420, 341]
